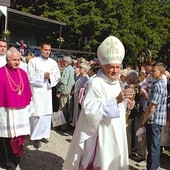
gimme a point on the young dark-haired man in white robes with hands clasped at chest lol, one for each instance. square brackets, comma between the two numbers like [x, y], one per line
[43, 74]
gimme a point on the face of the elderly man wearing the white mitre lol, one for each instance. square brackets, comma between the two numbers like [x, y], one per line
[112, 71]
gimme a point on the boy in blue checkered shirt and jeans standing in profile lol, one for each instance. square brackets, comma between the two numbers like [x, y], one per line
[155, 116]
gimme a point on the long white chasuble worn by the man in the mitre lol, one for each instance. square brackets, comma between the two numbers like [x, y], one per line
[97, 135]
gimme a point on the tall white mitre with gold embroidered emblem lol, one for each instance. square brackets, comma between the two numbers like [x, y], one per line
[111, 51]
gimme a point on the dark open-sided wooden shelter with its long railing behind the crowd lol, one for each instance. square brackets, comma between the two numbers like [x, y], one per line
[34, 30]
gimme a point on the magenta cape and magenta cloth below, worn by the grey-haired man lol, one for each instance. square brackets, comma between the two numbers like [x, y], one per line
[11, 99]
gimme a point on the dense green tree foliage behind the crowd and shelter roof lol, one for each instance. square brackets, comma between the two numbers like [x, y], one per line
[138, 23]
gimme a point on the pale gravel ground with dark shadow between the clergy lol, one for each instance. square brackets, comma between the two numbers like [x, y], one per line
[51, 156]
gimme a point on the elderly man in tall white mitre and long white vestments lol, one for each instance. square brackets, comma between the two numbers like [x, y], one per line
[99, 141]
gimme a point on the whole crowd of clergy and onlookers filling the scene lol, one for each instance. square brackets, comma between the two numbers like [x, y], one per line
[104, 103]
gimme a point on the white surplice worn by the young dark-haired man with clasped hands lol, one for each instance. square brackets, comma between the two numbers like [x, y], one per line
[41, 88]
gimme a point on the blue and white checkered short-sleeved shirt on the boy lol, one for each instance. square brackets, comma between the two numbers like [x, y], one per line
[158, 96]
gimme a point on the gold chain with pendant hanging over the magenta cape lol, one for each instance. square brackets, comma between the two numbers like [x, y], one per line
[15, 87]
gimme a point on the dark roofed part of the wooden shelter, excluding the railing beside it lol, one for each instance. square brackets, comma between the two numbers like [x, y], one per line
[30, 28]
